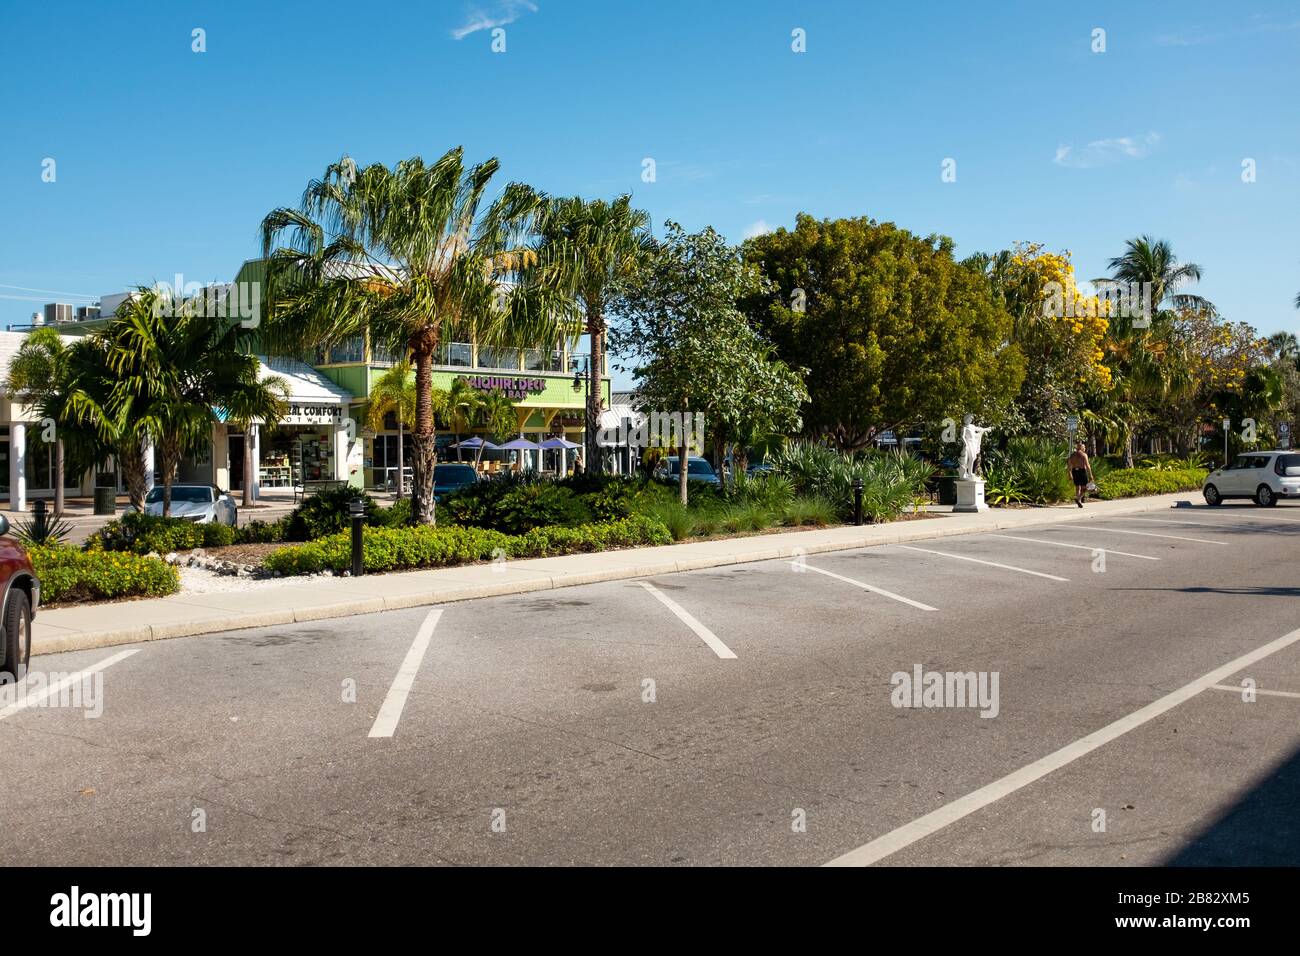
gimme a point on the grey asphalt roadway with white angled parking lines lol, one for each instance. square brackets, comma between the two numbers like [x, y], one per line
[749, 715]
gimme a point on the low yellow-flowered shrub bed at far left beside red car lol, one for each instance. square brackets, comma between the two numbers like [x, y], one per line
[71, 574]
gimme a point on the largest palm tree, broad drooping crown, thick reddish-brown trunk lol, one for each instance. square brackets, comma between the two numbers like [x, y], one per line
[410, 256]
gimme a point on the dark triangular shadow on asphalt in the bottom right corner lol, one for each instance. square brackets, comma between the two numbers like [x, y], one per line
[1263, 829]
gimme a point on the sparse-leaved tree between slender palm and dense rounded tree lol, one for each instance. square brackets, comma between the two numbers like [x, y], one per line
[694, 351]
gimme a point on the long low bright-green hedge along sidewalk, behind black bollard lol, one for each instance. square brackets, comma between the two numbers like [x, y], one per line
[395, 550]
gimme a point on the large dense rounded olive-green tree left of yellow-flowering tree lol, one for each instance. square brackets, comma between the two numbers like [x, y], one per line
[894, 332]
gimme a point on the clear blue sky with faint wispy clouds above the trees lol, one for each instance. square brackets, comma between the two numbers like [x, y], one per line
[167, 159]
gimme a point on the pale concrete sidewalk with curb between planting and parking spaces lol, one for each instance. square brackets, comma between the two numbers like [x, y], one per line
[181, 616]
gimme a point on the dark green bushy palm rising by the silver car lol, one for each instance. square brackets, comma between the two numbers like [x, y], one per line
[176, 366]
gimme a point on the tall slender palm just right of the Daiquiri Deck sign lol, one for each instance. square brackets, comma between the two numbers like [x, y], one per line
[599, 245]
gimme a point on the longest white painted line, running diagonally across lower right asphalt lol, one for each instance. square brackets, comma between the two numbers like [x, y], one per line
[935, 821]
